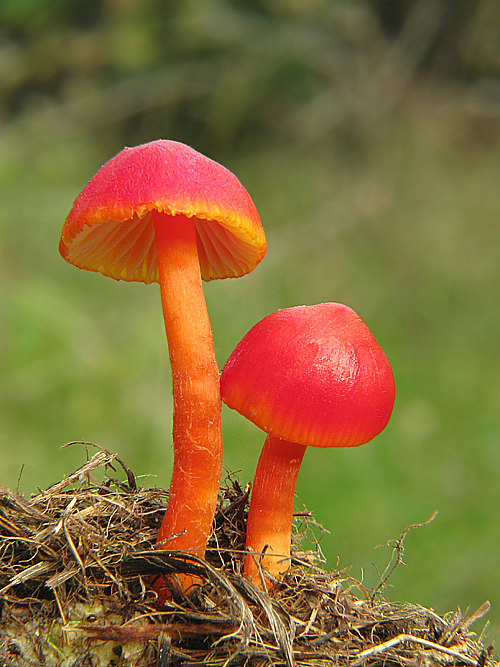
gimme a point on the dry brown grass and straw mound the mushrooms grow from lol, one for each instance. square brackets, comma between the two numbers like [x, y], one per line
[76, 564]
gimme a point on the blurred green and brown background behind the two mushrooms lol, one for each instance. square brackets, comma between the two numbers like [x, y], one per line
[367, 133]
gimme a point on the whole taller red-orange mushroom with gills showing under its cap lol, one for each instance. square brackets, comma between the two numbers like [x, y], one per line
[162, 212]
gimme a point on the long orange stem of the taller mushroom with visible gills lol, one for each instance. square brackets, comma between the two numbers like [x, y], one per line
[197, 433]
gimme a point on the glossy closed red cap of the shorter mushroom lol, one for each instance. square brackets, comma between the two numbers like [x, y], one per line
[312, 375]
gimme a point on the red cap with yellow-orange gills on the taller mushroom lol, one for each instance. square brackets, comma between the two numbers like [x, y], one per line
[109, 228]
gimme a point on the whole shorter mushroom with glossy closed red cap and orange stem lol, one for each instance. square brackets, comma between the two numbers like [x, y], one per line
[308, 376]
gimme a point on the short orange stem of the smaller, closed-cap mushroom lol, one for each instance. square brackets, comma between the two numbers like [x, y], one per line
[269, 524]
